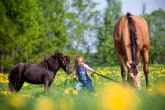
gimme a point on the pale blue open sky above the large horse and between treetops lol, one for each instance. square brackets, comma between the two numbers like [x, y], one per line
[135, 6]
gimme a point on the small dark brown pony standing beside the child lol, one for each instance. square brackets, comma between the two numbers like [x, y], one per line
[41, 73]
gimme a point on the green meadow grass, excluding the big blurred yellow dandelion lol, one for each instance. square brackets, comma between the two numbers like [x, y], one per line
[153, 99]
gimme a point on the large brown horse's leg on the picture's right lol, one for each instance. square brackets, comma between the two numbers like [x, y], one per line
[145, 68]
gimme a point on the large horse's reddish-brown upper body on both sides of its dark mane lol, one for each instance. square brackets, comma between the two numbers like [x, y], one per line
[122, 33]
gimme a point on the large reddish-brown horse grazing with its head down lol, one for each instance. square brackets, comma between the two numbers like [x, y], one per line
[131, 39]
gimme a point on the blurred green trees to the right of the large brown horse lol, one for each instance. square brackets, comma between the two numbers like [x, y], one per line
[156, 25]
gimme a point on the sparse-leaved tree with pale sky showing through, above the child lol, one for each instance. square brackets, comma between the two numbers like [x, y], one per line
[81, 25]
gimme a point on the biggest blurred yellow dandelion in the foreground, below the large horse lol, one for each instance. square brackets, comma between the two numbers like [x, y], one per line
[117, 97]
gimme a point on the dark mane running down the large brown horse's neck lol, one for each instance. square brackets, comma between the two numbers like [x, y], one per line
[133, 37]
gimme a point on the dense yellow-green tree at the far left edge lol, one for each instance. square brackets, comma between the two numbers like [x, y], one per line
[18, 29]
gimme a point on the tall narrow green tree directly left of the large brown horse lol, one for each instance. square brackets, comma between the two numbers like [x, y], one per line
[106, 52]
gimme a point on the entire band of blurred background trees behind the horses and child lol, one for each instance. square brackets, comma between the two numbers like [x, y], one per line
[31, 30]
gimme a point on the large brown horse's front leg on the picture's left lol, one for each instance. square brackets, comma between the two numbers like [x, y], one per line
[123, 73]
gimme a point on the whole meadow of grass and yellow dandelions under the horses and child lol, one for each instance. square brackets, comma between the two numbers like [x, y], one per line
[107, 95]
